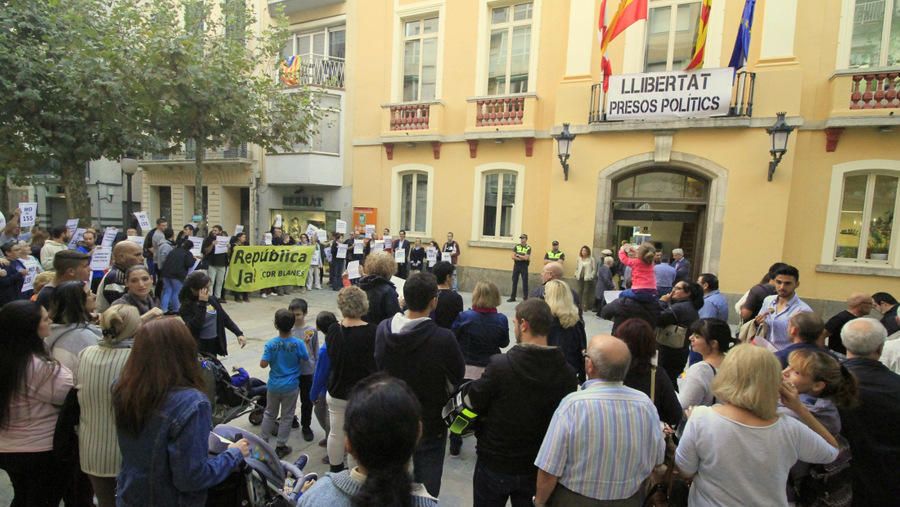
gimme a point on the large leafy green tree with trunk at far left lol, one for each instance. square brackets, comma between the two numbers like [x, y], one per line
[66, 84]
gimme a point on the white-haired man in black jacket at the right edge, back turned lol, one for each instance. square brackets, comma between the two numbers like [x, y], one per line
[871, 428]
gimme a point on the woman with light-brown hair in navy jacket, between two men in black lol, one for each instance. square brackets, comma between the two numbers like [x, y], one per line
[481, 332]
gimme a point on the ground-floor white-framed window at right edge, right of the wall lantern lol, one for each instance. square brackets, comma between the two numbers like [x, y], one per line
[866, 217]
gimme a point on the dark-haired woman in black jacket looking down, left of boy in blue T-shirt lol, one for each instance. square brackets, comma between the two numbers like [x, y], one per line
[205, 317]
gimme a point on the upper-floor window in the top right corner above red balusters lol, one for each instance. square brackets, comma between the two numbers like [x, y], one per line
[875, 39]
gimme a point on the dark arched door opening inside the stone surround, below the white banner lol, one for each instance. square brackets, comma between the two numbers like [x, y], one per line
[663, 205]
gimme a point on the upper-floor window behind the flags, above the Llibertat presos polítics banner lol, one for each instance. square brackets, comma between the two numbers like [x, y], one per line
[671, 34]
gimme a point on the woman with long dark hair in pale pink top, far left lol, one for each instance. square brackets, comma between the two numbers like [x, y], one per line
[33, 386]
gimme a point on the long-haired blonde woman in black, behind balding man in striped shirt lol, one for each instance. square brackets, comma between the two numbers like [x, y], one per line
[567, 331]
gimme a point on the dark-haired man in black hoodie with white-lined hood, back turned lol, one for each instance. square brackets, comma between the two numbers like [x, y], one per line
[411, 347]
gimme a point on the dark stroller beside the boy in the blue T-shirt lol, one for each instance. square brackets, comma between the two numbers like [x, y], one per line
[230, 397]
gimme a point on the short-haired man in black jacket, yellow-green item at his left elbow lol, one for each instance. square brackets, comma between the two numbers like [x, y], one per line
[515, 399]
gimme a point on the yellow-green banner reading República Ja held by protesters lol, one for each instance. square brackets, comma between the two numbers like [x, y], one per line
[261, 267]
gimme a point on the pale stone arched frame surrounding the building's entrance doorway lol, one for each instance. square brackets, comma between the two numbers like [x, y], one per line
[716, 175]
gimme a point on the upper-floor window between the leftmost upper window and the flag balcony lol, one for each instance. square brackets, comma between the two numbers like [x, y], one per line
[510, 48]
